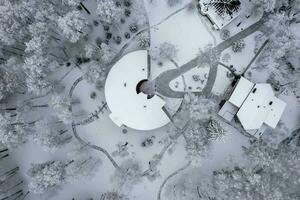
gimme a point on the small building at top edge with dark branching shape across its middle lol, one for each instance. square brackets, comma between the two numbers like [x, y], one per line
[219, 12]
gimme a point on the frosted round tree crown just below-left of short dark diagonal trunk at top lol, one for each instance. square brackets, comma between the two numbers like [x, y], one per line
[72, 25]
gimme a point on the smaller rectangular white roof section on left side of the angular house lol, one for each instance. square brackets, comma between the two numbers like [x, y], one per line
[241, 91]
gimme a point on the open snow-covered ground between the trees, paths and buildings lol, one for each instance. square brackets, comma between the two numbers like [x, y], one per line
[189, 32]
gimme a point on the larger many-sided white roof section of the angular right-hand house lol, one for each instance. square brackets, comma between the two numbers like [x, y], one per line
[257, 107]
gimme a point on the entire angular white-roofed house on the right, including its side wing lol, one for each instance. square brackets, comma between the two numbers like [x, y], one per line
[254, 105]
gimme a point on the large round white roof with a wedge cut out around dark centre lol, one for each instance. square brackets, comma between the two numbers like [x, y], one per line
[127, 107]
